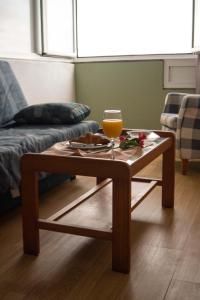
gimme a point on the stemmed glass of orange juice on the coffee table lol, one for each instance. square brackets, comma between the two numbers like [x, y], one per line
[112, 125]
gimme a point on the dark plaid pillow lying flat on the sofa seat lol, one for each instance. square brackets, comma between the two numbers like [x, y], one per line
[53, 113]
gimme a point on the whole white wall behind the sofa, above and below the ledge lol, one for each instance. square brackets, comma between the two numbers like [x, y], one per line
[42, 79]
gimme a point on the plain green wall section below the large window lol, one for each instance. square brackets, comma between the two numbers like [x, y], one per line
[135, 87]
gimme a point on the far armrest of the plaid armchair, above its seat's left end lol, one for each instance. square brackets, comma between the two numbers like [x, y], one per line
[173, 102]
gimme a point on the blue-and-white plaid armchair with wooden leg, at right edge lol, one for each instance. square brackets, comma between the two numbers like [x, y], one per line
[181, 115]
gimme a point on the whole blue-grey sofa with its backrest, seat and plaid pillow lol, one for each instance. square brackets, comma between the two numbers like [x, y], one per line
[23, 129]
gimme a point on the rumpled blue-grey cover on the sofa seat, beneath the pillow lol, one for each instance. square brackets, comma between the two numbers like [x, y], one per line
[16, 141]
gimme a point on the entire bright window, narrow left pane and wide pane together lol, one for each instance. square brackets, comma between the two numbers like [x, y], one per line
[116, 27]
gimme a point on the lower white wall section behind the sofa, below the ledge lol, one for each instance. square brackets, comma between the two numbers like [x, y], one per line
[45, 81]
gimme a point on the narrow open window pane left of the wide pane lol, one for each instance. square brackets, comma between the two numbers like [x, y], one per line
[58, 27]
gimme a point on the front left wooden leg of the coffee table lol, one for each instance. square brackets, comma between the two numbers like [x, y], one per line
[30, 213]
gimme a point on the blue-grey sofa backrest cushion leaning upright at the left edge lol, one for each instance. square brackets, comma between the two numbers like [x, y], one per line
[12, 99]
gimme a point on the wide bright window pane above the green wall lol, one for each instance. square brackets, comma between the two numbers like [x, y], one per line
[116, 27]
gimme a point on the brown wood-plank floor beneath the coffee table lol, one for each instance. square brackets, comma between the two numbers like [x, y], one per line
[165, 248]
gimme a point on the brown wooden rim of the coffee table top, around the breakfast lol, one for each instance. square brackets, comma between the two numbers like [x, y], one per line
[52, 161]
